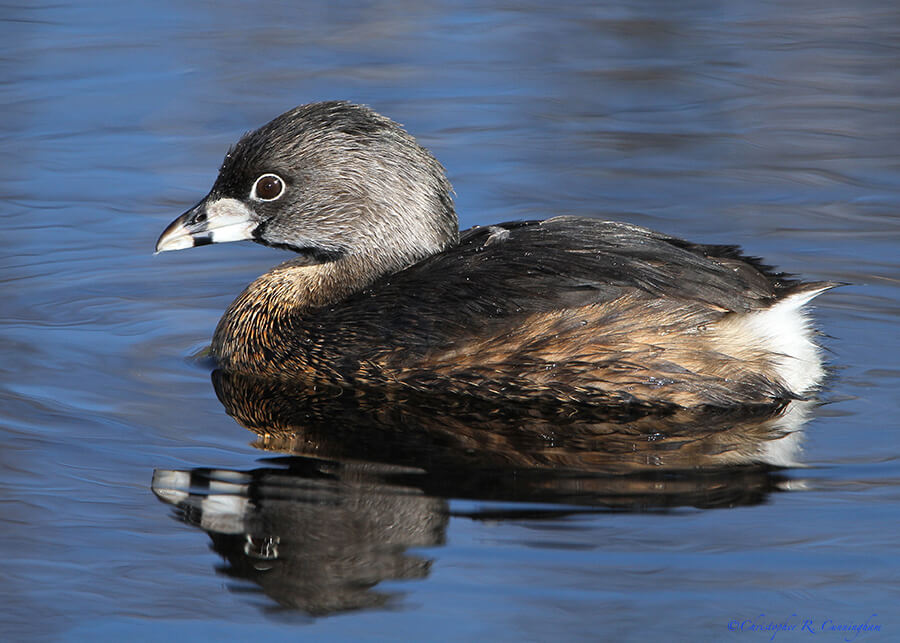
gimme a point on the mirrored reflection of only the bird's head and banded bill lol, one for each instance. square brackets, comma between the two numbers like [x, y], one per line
[314, 536]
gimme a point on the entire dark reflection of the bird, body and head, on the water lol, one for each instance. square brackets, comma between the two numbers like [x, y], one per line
[367, 477]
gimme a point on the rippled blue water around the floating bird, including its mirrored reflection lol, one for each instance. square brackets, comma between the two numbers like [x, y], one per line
[769, 124]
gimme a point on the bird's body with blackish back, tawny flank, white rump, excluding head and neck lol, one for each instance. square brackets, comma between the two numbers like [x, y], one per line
[577, 310]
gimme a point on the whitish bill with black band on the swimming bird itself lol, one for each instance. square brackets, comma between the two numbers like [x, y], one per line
[210, 221]
